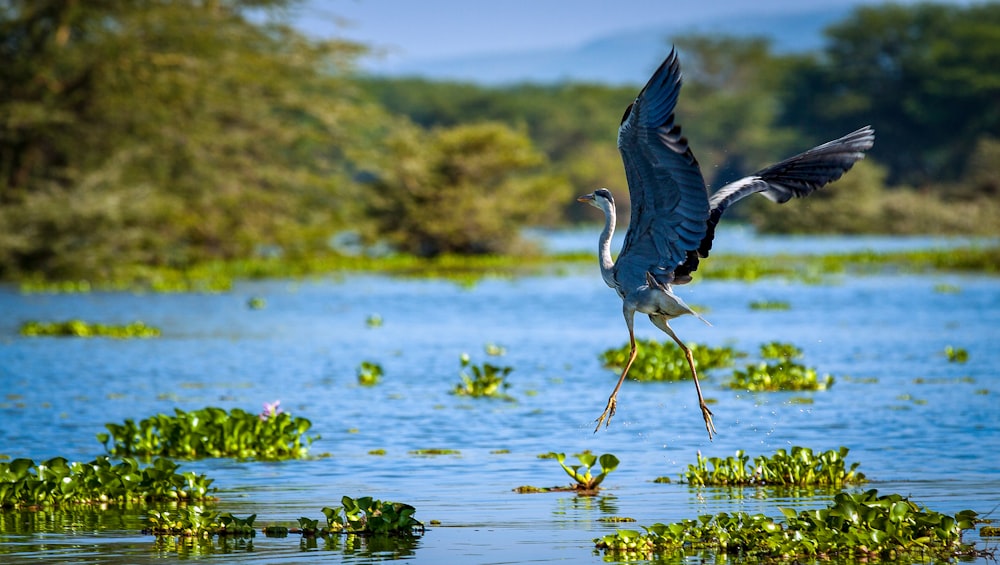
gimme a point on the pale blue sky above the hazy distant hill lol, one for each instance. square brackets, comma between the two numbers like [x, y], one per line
[429, 29]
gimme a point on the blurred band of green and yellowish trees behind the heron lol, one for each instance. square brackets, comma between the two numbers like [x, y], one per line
[169, 134]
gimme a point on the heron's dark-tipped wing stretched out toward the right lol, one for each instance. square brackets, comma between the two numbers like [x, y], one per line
[796, 176]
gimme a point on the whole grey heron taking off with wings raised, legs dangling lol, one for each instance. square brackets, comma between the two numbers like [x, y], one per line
[673, 218]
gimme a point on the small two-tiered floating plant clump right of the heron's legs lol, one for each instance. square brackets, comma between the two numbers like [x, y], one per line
[779, 373]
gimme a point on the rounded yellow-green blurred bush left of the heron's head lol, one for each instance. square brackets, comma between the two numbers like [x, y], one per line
[466, 189]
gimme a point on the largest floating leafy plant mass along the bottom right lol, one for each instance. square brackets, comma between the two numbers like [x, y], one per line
[864, 526]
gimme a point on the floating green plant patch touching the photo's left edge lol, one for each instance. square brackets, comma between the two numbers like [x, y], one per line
[25, 484]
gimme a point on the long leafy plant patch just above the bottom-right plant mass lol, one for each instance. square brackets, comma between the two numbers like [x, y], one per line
[800, 467]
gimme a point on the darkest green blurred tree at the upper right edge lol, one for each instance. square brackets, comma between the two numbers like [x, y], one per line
[927, 76]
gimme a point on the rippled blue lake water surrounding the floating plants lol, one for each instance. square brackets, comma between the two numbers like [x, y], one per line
[919, 425]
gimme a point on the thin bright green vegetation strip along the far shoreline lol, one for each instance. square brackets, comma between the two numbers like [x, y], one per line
[220, 276]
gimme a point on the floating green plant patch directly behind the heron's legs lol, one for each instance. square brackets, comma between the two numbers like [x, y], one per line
[664, 361]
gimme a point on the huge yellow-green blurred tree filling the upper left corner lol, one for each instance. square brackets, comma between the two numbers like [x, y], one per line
[167, 133]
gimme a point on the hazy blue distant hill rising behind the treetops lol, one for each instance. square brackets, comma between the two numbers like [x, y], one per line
[623, 58]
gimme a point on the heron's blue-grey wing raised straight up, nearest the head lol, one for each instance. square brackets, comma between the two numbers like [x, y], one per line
[667, 191]
